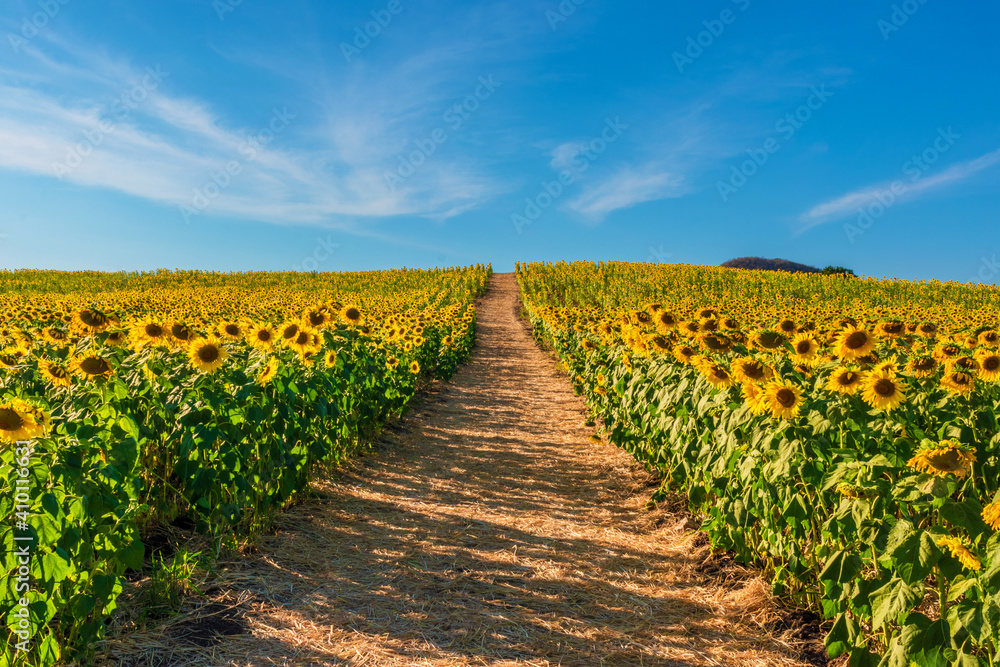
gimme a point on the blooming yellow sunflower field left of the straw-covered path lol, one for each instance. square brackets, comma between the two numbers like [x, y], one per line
[130, 400]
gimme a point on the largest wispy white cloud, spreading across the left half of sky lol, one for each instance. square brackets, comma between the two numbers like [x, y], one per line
[326, 167]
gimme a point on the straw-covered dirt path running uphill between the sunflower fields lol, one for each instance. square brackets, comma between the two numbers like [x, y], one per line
[490, 532]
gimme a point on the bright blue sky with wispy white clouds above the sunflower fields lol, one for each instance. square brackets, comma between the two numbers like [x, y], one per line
[279, 136]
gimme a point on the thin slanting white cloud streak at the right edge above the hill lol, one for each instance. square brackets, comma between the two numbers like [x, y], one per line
[848, 204]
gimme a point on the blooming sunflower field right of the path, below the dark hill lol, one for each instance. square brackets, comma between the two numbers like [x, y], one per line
[840, 432]
